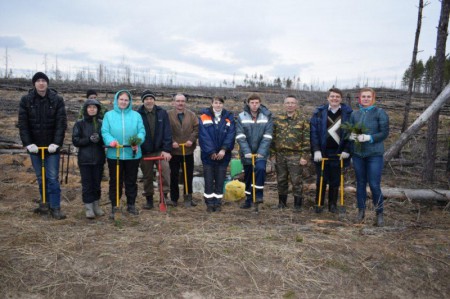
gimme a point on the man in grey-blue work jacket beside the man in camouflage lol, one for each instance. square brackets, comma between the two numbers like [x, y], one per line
[254, 129]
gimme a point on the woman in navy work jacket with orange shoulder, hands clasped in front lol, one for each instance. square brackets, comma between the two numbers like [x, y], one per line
[216, 139]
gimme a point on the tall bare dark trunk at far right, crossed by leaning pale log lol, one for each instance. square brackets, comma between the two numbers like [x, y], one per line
[436, 87]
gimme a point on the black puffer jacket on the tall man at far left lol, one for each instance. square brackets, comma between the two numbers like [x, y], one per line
[42, 120]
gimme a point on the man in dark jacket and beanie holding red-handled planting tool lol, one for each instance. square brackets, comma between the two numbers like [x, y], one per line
[158, 142]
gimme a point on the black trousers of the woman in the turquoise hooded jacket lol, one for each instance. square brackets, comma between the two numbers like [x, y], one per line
[128, 170]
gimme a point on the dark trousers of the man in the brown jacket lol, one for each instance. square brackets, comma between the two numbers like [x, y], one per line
[175, 164]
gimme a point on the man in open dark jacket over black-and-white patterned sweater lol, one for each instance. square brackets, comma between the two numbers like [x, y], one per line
[327, 141]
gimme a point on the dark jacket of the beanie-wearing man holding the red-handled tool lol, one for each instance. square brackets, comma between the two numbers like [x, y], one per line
[162, 141]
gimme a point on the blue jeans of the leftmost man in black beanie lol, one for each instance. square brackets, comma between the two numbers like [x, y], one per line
[53, 190]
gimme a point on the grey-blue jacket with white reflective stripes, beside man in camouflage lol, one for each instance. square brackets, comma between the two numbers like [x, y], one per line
[254, 136]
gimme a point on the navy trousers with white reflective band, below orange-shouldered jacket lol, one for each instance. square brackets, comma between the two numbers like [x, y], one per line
[214, 179]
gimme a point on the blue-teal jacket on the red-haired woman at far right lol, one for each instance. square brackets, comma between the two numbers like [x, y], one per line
[376, 124]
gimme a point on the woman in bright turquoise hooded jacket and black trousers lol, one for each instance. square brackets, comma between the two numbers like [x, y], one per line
[119, 125]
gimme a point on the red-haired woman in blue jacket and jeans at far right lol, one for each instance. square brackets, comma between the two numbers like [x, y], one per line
[368, 152]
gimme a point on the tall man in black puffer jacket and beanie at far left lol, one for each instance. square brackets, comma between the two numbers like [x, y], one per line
[42, 123]
